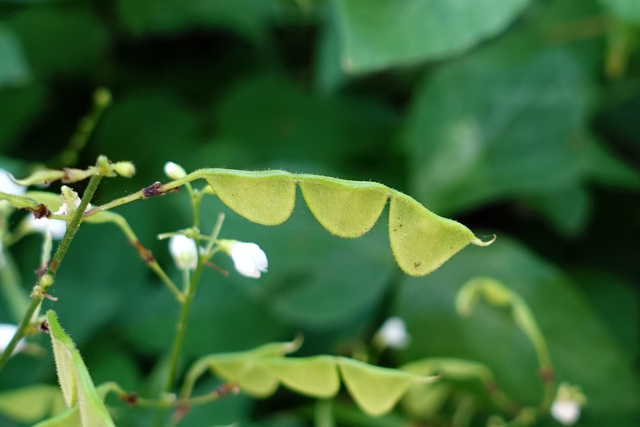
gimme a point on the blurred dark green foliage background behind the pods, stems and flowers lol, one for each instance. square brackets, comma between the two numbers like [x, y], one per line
[518, 118]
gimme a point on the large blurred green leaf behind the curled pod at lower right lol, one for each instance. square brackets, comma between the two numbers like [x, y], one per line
[582, 350]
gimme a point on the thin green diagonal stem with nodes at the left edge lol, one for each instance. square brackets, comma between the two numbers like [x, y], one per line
[40, 288]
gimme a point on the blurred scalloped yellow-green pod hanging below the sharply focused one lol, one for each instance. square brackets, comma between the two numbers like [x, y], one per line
[258, 373]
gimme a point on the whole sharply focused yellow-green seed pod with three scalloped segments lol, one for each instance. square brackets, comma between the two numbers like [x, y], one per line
[421, 240]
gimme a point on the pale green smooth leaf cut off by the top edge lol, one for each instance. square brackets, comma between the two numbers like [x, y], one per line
[381, 34]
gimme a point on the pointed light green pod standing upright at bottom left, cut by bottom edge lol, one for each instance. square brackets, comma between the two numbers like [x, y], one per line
[77, 388]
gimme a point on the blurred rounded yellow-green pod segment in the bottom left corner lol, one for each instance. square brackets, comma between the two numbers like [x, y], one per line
[32, 403]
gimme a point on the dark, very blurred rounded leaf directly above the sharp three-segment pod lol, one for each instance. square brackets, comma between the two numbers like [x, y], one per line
[271, 122]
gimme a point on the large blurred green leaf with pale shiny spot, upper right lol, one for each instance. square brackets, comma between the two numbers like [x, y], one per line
[471, 152]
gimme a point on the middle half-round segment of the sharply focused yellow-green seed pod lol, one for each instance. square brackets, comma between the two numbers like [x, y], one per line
[327, 201]
